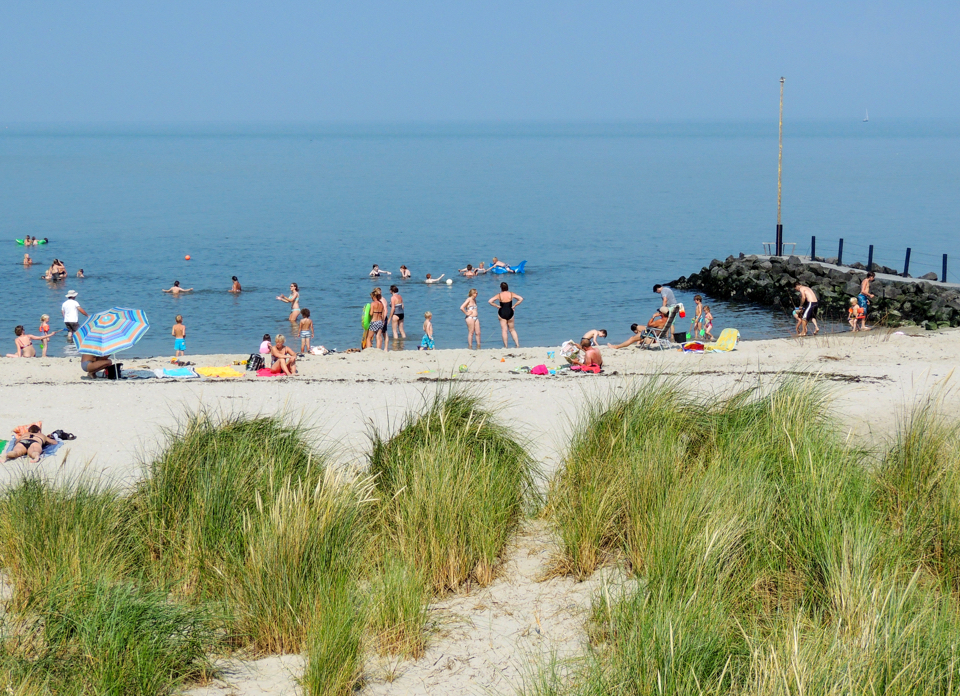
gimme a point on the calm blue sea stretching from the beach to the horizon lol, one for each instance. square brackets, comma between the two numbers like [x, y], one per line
[600, 212]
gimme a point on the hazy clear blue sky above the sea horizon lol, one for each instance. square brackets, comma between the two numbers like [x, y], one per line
[474, 61]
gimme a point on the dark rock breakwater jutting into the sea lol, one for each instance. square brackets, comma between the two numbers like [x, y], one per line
[770, 280]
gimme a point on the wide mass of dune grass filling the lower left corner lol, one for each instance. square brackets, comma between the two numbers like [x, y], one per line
[239, 531]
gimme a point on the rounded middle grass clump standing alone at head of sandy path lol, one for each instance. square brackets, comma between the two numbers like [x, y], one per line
[453, 484]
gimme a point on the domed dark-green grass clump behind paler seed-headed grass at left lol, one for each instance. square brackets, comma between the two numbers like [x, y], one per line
[193, 504]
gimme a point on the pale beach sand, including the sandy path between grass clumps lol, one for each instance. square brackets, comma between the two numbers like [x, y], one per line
[483, 636]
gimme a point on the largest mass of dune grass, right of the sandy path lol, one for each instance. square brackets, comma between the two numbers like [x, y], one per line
[772, 560]
